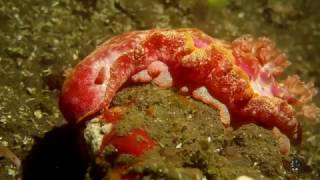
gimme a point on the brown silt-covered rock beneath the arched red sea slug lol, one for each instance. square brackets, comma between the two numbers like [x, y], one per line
[191, 141]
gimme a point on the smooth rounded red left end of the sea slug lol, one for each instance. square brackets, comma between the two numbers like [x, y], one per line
[85, 88]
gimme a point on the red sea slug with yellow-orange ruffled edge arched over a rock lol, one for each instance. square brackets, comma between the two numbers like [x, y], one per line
[238, 79]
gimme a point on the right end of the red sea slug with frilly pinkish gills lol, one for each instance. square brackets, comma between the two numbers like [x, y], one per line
[275, 101]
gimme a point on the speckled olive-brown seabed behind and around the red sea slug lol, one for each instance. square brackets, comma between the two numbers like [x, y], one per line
[40, 39]
